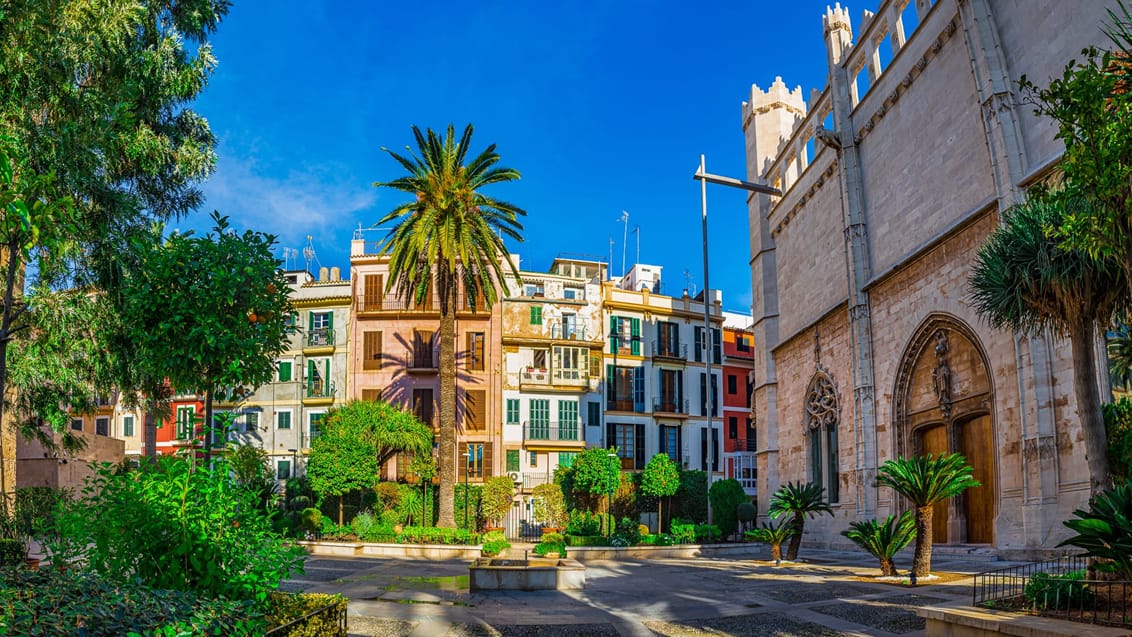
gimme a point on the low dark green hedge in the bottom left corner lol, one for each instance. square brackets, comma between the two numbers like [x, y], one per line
[72, 602]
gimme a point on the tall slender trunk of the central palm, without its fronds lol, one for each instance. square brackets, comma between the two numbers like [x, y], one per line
[447, 462]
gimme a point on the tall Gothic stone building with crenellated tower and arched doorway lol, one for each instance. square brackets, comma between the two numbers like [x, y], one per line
[867, 347]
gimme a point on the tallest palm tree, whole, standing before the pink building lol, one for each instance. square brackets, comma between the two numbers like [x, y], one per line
[449, 239]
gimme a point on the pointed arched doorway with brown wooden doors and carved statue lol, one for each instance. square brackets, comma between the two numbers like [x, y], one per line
[945, 400]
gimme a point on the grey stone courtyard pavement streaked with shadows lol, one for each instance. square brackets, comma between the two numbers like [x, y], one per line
[734, 597]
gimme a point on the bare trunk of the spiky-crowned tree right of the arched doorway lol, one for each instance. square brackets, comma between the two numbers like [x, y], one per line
[1088, 406]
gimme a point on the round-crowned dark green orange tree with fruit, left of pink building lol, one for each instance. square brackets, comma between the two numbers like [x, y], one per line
[208, 313]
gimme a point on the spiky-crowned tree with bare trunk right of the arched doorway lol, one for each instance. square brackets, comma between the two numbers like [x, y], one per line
[1027, 279]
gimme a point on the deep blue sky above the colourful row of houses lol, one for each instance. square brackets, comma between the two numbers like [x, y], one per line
[603, 107]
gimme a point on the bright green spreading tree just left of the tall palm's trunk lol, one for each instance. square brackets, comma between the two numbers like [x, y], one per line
[356, 441]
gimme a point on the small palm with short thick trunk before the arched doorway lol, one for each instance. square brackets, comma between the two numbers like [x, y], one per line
[927, 480]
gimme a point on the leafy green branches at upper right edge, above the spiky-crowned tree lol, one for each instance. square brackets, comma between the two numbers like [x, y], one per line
[1093, 108]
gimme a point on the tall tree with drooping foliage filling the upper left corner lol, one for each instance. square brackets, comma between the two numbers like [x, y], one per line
[98, 141]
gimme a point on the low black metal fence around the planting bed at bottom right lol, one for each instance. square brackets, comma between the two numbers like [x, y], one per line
[1065, 589]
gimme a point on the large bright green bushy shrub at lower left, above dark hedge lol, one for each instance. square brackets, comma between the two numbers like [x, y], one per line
[175, 524]
